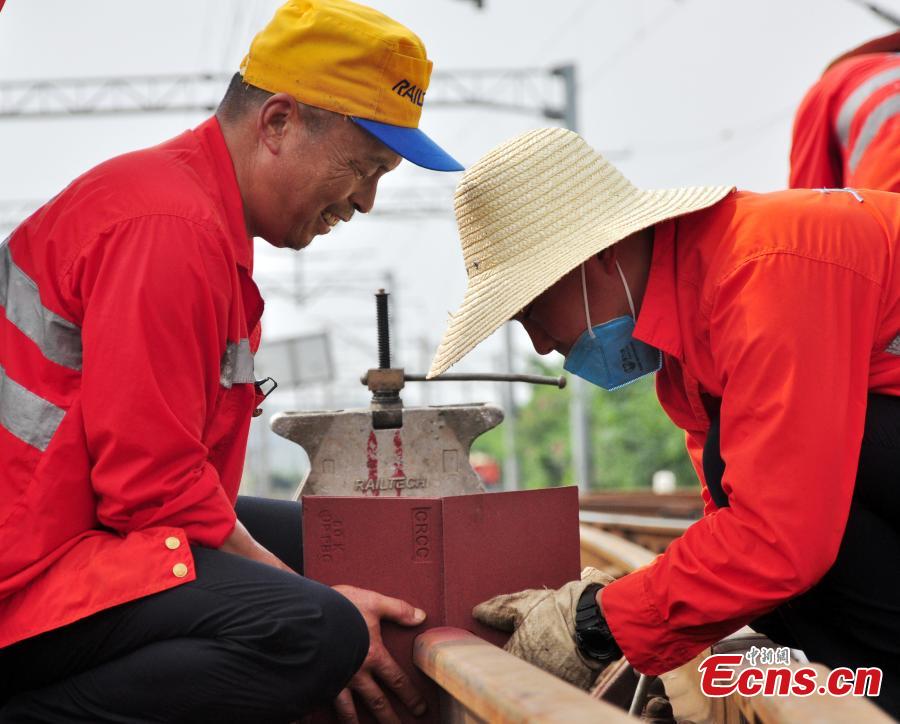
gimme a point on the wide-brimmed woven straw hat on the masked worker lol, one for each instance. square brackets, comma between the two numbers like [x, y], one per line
[533, 209]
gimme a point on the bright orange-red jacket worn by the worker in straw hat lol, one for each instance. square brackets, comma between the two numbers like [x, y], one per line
[786, 307]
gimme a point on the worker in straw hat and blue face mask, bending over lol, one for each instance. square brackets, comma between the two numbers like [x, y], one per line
[772, 323]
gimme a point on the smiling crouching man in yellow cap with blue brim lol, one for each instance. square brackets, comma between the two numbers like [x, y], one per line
[129, 588]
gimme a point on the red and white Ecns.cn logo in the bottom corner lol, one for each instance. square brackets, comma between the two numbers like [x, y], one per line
[768, 672]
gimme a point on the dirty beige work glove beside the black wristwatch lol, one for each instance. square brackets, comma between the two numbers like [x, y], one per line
[543, 626]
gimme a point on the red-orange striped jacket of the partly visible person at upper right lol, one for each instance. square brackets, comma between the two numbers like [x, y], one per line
[847, 129]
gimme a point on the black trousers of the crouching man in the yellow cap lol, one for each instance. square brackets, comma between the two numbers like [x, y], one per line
[244, 642]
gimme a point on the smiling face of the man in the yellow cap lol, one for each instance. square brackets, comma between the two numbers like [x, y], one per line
[318, 177]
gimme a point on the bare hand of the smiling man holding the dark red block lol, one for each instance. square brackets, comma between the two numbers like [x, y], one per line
[379, 663]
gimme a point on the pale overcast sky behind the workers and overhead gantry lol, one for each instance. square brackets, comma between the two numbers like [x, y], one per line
[684, 92]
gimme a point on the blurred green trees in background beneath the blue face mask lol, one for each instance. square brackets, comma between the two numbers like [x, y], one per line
[630, 434]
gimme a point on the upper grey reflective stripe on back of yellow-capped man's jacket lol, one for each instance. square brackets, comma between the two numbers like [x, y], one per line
[58, 339]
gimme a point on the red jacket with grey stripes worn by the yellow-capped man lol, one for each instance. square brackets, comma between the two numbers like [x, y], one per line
[126, 382]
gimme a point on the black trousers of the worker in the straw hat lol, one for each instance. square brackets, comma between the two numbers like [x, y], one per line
[852, 616]
